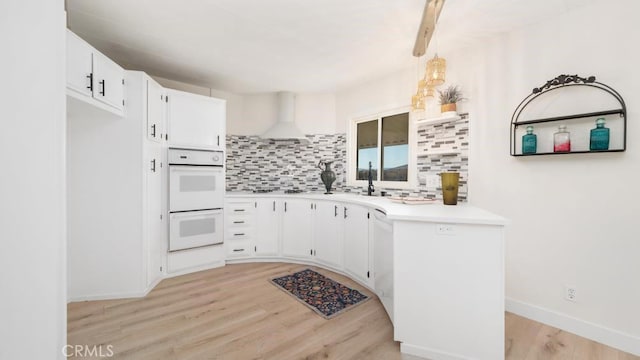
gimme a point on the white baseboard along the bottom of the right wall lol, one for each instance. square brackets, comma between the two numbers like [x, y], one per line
[610, 337]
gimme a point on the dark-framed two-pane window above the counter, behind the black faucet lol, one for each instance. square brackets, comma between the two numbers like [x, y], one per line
[383, 143]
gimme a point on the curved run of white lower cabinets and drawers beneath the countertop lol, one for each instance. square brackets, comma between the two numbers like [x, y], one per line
[330, 233]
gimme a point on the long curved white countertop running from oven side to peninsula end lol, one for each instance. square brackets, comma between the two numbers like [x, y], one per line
[462, 213]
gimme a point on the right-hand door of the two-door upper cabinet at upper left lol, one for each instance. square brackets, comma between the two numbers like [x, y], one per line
[108, 81]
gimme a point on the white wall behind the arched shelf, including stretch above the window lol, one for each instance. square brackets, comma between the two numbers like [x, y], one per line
[573, 216]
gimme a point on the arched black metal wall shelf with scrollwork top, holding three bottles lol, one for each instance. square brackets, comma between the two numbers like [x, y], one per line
[579, 125]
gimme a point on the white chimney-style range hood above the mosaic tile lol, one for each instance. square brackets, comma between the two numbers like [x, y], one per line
[285, 128]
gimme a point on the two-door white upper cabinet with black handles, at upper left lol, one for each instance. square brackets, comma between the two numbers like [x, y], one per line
[93, 77]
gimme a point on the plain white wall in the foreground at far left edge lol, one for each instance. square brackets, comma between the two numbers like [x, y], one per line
[32, 191]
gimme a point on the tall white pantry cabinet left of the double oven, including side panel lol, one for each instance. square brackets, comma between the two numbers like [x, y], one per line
[116, 179]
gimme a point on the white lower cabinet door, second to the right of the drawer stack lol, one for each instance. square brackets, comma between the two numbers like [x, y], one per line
[296, 228]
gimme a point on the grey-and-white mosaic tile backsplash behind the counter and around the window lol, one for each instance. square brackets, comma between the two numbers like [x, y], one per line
[255, 163]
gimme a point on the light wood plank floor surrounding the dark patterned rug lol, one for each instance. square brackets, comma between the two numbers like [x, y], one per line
[235, 313]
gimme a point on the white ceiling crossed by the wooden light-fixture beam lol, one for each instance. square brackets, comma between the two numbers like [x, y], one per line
[252, 46]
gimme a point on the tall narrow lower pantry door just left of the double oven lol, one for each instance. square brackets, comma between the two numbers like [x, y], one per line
[156, 220]
